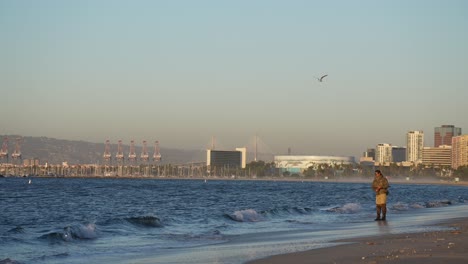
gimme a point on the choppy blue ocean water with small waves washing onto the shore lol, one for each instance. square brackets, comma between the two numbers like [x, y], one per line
[95, 220]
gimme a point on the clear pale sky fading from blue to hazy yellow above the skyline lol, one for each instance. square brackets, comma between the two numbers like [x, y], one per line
[187, 72]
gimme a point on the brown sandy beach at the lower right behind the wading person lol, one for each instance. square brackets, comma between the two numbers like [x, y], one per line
[448, 246]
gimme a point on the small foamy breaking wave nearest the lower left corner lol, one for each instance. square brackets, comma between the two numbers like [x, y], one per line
[70, 233]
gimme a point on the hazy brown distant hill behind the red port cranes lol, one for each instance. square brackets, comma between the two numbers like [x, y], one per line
[56, 151]
